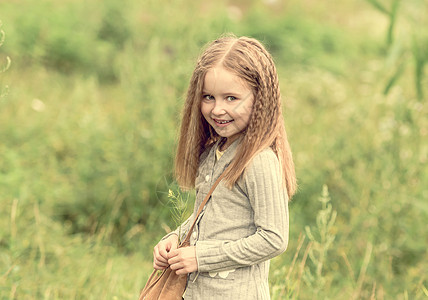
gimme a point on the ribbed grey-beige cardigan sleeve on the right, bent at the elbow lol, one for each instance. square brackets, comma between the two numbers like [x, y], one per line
[269, 201]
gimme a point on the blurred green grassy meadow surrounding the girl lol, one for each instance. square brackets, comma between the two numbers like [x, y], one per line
[89, 112]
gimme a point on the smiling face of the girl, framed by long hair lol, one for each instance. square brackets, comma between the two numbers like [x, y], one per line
[227, 102]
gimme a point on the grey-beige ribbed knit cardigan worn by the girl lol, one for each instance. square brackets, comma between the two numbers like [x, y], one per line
[240, 229]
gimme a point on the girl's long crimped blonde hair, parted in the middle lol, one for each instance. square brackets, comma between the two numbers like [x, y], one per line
[248, 59]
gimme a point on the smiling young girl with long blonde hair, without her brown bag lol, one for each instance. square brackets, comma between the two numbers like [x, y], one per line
[232, 123]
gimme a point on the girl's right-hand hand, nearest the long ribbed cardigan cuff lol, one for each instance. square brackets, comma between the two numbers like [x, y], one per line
[183, 260]
